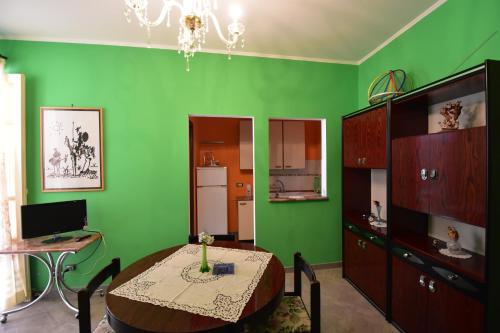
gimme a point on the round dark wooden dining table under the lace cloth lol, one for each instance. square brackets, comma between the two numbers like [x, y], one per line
[129, 316]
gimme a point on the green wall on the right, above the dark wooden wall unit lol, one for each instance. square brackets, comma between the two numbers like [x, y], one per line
[457, 35]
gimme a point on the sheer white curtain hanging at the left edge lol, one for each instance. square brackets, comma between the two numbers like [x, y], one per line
[13, 268]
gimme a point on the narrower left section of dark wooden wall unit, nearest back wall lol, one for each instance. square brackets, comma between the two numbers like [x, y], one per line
[364, 246]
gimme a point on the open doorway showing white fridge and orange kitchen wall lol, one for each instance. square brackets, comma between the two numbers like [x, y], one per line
[221, 186]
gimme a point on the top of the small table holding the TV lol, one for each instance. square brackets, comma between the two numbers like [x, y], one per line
[35, 245]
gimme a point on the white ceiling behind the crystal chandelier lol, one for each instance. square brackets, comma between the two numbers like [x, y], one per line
[318, 30]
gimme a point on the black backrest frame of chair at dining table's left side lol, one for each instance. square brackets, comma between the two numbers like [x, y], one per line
[84, 294]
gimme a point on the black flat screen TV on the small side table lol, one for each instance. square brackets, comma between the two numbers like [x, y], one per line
[53, 219]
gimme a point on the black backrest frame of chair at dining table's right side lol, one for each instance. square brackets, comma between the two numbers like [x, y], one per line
[299, 266]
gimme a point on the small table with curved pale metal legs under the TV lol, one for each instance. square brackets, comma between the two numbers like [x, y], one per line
[36, 249]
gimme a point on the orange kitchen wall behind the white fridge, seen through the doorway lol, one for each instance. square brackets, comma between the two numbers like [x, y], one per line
[228, 154]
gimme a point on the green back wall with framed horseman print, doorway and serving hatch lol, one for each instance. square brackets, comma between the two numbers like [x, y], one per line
[147, 97]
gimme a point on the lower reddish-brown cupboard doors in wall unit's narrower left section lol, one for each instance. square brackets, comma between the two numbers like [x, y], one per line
[365, 265]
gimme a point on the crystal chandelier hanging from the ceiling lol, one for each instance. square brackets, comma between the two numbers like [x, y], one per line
[193, 23]
